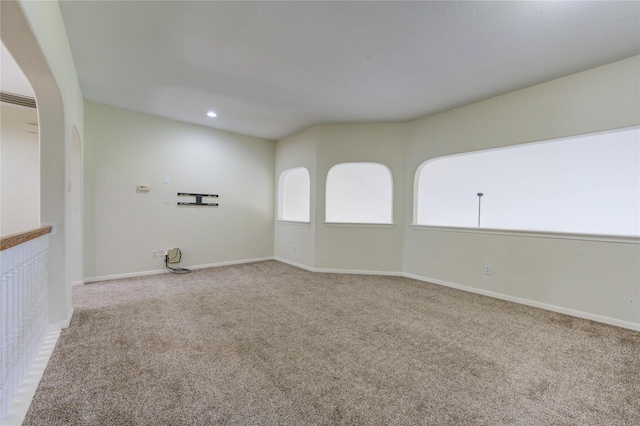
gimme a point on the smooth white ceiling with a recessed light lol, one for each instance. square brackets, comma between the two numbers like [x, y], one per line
[270, 69]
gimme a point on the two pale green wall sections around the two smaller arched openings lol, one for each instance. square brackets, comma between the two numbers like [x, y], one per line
[322, 246]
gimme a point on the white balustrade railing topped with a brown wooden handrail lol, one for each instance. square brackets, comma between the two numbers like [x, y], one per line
[24, 305]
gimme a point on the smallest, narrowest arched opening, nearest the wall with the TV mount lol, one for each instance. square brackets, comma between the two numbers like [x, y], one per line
[294, 191]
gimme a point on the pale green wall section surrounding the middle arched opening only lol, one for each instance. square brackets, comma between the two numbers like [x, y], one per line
[361, 248]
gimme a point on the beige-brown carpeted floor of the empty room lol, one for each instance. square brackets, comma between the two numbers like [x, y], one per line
[269, 344]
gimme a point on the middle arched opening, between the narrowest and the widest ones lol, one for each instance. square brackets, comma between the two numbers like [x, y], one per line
[359, 193]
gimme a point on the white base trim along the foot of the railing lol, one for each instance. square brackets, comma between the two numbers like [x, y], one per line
[26, 392]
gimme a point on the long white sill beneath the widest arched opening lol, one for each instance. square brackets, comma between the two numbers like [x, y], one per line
[624, 239]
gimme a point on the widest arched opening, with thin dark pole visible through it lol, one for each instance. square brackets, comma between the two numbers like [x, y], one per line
[585, 184]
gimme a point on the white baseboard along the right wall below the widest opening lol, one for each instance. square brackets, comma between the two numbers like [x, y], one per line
[533, 303]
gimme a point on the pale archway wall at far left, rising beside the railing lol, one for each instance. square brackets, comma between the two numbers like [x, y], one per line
[35, 35]
